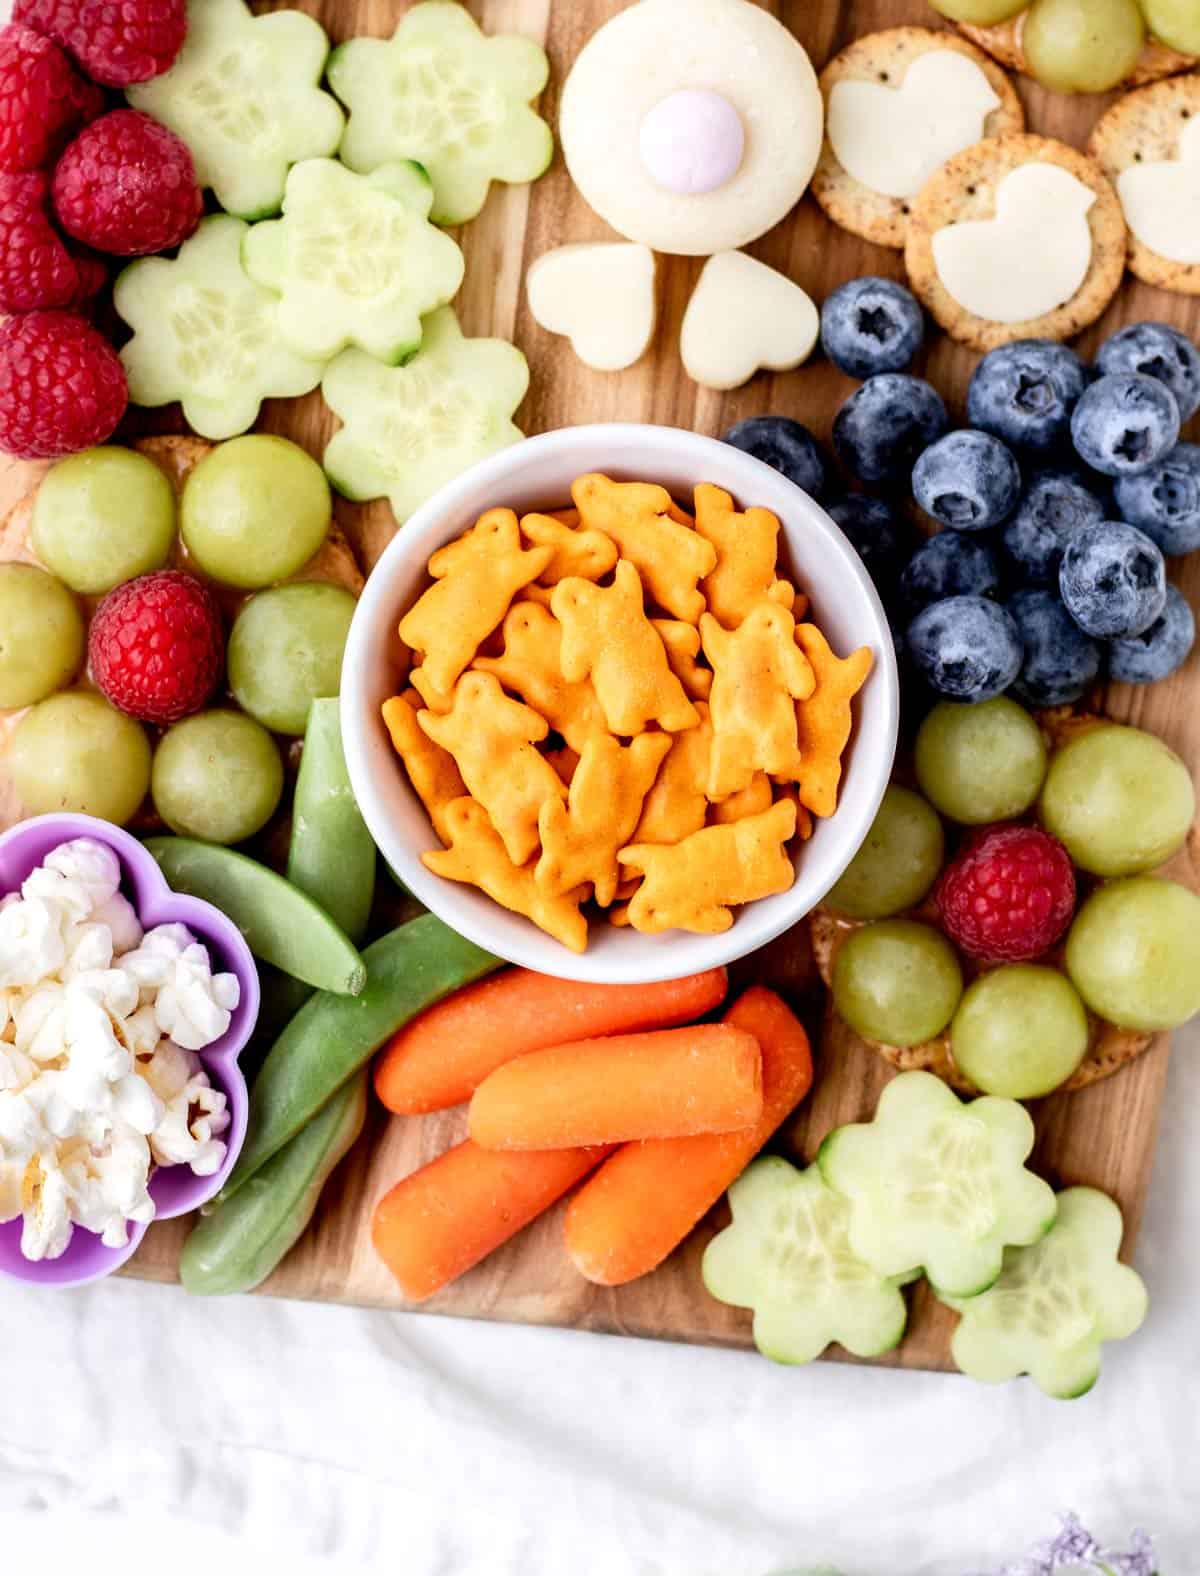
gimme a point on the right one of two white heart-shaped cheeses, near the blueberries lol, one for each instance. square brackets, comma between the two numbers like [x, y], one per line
[743, 318]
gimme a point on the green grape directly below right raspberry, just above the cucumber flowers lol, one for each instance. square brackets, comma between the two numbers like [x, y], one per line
[1019, 1031]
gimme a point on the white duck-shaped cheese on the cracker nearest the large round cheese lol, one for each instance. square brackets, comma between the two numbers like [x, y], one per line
[892, 139]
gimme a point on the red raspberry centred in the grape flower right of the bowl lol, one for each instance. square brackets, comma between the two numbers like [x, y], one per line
[1008, 896]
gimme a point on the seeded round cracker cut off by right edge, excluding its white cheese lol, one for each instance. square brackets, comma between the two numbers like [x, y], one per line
[1146, 127]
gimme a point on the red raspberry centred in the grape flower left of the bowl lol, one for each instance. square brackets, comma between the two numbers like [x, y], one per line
[157, 647]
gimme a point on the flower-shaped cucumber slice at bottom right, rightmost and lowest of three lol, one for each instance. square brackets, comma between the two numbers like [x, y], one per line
[1056, 1304]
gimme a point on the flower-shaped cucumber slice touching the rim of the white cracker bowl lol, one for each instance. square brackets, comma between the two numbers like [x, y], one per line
[408, 431]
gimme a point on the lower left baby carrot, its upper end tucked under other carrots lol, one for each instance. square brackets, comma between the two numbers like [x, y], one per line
[447, 1217]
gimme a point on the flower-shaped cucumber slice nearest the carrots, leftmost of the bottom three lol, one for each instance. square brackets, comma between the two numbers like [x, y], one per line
[789, 1258]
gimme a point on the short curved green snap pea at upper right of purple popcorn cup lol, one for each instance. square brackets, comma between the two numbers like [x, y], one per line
[281, 924]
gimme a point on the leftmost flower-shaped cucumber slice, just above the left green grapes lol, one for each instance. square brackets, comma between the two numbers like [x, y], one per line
[207, 335]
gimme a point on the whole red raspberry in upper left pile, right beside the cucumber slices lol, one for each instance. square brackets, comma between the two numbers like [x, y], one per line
[127, 187]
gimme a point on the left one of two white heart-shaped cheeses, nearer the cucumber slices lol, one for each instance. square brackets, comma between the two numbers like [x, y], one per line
[602, 297]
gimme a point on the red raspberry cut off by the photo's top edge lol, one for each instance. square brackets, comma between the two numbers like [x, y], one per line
[114, 42]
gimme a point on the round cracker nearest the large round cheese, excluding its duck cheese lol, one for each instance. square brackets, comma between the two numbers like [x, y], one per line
[887, 58]
